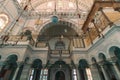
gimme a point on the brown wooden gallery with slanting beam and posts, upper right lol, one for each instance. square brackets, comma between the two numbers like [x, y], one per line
[97, 20]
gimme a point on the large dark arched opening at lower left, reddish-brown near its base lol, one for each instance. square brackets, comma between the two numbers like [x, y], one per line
[9, 67]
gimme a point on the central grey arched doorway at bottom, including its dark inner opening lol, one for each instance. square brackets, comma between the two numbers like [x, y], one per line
[60, 71]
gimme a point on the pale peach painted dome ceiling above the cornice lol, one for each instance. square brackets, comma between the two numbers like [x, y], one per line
[59, 5]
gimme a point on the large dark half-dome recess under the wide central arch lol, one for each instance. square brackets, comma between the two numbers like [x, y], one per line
[58, 29]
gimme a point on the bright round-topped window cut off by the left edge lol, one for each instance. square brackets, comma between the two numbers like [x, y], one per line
[3, 21]
